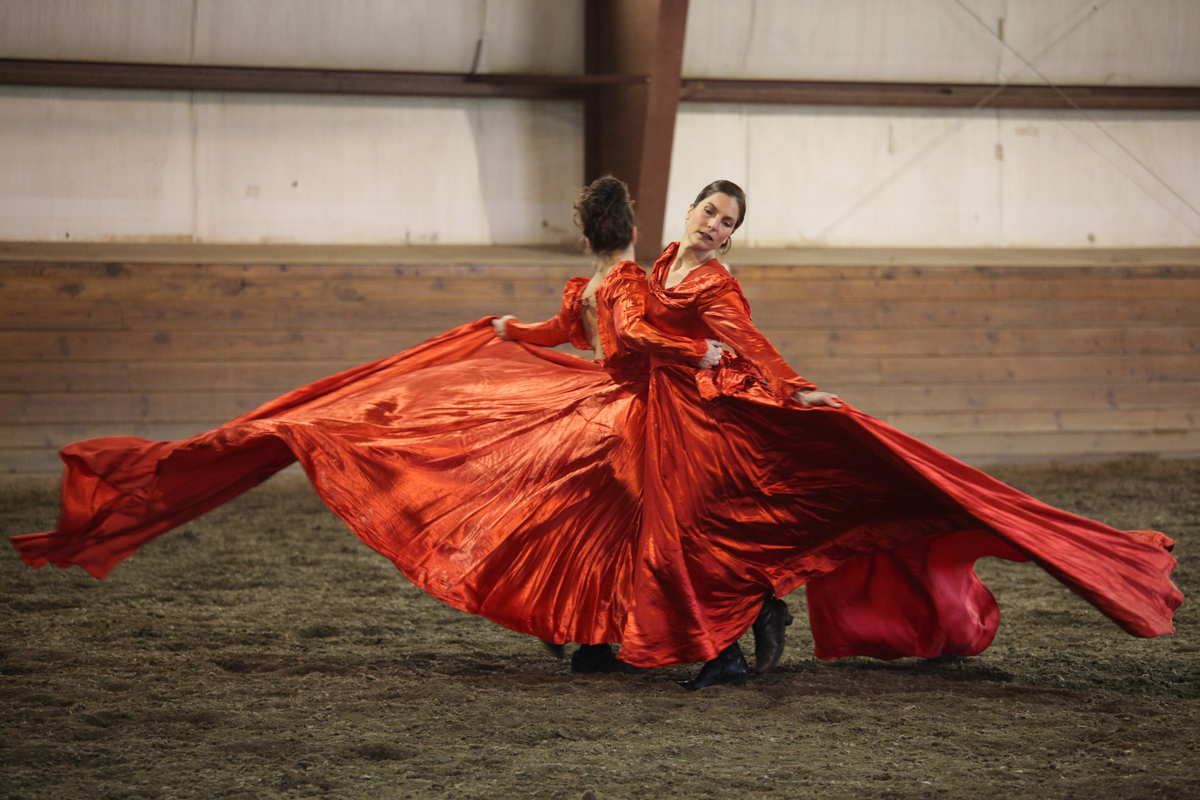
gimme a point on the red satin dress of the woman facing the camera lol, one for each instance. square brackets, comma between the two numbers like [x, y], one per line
[748, 492]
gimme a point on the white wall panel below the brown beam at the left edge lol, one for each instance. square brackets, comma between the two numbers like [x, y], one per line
[82, 165]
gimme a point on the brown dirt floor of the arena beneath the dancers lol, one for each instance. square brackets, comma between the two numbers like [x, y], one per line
[263, 652]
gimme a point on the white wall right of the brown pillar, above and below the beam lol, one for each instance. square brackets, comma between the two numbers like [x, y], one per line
[956, 178]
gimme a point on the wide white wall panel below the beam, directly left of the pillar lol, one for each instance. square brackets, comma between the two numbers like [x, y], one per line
[370, 171]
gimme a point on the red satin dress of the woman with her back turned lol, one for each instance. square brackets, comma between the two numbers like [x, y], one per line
[502, 478]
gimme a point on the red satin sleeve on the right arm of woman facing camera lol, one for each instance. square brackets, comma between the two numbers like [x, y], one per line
[727, 314]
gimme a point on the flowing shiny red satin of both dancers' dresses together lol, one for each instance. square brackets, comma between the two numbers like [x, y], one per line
[639, 502]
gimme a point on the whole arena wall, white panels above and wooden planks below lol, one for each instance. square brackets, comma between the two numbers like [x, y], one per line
[247, 244]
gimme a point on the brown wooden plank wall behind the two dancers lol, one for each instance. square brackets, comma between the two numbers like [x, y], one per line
[993, 357]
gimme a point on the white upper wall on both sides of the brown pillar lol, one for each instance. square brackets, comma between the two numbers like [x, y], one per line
[243, 169]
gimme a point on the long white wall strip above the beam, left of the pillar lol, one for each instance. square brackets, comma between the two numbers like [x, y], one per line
[536, 37]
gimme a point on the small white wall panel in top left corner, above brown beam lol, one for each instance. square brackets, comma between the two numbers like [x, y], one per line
[97, 31]
